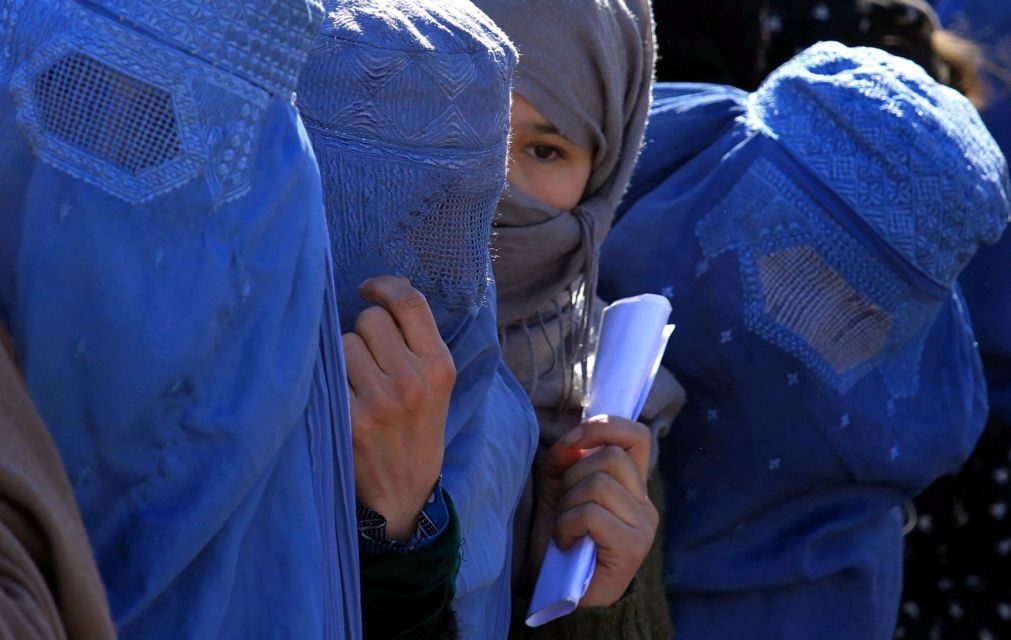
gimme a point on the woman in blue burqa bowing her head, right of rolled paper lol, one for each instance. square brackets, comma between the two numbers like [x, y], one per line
[809, 236]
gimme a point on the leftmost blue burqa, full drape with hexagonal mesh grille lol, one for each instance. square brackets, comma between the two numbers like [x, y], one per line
[164, 270]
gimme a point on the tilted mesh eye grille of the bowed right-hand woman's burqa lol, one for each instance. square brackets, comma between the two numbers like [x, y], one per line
[805, 296]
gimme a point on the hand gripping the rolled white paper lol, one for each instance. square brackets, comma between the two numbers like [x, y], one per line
[603, 496]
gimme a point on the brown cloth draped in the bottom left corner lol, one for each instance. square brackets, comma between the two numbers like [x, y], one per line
[49, 585]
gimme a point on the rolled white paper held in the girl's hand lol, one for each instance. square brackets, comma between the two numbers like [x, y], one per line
[630, 346]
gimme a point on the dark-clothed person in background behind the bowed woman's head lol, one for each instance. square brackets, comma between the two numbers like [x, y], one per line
[694, 39]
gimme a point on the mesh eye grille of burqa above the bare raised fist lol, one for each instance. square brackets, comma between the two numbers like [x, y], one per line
[451, 246]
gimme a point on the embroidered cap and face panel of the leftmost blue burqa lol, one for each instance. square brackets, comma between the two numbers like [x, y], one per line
[128, 112]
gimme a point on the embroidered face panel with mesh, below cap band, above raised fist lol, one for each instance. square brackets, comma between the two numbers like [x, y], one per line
[431, 222]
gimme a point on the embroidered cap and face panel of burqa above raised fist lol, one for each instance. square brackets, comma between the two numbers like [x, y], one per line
[412, 153]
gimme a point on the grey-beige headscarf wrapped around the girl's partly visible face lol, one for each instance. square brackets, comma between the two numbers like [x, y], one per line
[588, 67]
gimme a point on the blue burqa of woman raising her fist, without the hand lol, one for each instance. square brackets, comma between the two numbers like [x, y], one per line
[407, 104]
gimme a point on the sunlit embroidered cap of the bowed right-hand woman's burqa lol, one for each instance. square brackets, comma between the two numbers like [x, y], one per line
[896, 148]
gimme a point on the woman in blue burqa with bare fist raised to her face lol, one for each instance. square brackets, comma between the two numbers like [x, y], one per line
[408, 107]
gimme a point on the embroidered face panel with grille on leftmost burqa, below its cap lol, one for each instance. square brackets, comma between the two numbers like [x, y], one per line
[119, 110]
